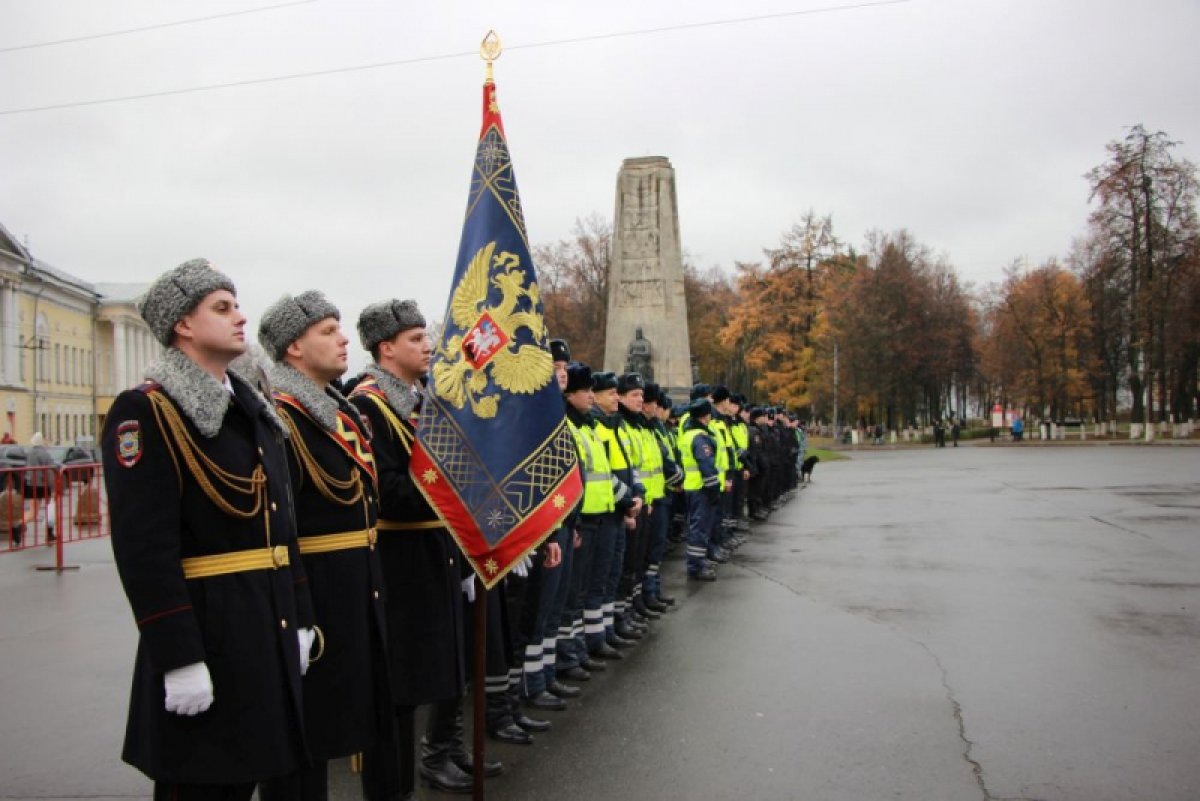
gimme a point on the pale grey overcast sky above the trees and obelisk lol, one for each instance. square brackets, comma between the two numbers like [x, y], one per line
[970, 123]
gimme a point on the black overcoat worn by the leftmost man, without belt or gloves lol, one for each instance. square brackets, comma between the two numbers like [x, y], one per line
[242, 625]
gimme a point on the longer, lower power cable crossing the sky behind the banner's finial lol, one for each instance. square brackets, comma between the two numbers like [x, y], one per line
[446, 57]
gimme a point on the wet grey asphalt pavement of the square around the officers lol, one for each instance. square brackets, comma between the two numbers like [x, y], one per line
[959, 624]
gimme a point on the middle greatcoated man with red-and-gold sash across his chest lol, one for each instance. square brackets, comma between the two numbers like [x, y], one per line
[333, 473]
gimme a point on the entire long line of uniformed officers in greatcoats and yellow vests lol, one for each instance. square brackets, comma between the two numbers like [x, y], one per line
[298, 599]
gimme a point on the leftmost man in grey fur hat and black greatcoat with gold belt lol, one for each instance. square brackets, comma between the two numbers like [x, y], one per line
[205, 543]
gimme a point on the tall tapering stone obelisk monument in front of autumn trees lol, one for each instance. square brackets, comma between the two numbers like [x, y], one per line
[647, 311]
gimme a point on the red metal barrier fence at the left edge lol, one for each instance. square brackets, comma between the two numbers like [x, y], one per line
[52, 507]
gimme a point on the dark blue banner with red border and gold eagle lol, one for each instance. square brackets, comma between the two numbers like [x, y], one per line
[494, 455]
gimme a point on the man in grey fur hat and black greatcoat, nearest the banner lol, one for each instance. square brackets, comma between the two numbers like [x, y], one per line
[424, 570]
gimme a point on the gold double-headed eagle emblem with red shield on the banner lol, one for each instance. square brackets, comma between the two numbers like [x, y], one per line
[489, 351]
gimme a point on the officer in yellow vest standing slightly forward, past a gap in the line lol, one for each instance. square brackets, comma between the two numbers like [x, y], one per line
[701, 484]
